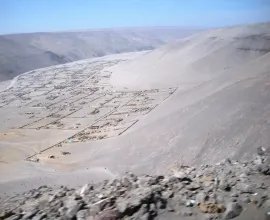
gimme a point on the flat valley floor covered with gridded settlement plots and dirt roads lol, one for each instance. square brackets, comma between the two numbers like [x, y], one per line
[47, 110]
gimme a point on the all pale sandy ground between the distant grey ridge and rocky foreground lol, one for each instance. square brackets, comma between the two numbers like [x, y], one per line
[197, 101]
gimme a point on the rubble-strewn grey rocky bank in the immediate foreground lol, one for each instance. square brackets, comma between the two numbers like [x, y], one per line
[227, 190]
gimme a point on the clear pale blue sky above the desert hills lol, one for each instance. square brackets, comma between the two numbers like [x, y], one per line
[18, 16]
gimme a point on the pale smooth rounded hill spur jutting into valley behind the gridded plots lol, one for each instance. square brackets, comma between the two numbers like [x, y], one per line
[197, 58]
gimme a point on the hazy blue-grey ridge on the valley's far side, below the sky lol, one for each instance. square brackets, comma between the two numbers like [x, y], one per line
[23, 52]
